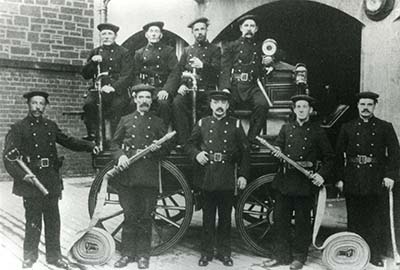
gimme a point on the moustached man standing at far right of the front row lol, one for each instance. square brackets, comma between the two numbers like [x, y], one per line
[369, 156]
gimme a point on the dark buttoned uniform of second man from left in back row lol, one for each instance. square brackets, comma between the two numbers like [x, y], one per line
[153, 65]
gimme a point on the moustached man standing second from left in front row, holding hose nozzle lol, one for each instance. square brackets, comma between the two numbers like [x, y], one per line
[138, 185]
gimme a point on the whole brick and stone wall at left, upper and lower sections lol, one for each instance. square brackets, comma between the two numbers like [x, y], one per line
[43, 44]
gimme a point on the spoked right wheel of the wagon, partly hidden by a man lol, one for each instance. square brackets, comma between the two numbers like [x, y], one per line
[254, 215]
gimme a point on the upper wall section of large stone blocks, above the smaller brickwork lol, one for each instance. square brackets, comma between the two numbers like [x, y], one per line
[56, 31]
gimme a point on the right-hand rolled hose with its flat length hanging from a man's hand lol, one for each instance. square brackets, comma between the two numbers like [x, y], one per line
[341, 251]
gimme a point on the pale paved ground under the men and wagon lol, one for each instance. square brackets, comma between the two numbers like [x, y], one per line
[74, 217]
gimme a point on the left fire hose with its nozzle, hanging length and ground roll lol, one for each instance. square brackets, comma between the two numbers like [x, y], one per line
[93, 245]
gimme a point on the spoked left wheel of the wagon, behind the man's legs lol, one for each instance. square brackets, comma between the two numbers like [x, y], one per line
[171, 217]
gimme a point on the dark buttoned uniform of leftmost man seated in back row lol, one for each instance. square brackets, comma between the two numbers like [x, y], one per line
[116, 62]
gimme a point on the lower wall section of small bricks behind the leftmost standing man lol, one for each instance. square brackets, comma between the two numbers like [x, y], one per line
[66, 92]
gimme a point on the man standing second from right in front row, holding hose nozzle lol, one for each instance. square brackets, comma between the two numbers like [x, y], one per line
[306, 143]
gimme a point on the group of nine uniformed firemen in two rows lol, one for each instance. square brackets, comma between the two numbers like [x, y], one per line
[150, 84]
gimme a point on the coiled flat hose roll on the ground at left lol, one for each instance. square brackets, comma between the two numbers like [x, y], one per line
[95, 247]
